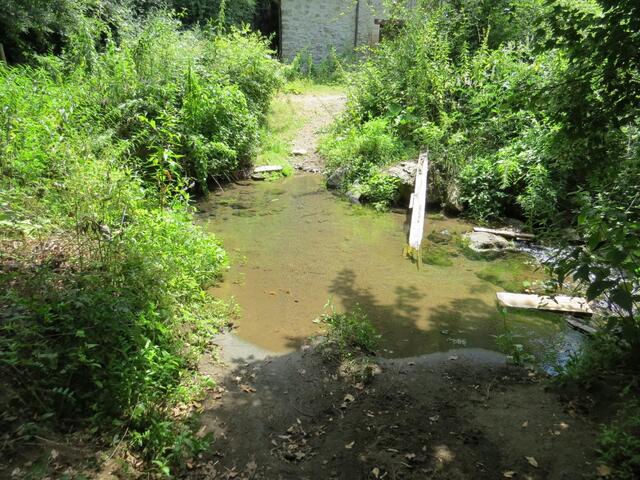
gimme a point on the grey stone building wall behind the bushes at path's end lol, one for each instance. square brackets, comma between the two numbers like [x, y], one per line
[318, 25]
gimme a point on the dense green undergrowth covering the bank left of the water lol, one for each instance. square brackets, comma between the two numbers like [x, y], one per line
[103, 311]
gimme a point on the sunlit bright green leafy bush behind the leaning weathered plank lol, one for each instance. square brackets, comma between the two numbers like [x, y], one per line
[471, 103]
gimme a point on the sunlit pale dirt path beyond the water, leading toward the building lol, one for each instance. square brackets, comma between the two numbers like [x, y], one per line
[318, 110]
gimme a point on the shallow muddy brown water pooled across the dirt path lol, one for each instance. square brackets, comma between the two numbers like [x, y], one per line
[298, 251]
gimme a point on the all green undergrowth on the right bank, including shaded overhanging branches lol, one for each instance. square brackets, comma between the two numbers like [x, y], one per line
[529, 109]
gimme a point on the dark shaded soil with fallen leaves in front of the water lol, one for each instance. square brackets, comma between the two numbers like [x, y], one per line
[455, 415]
